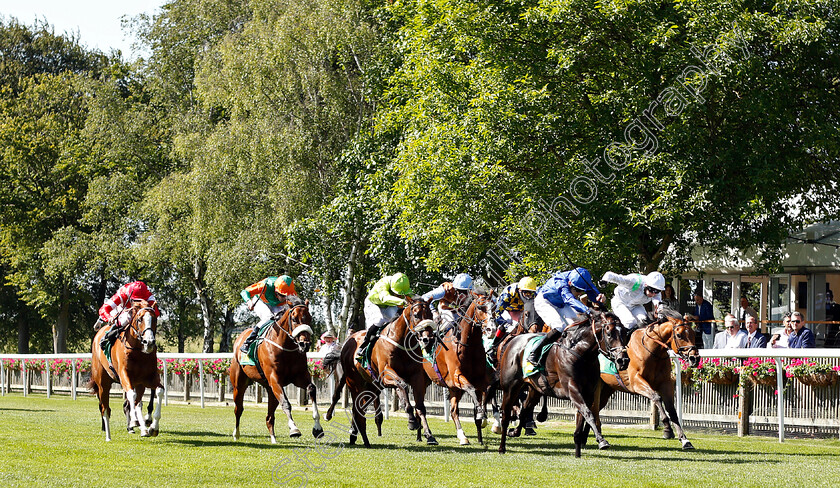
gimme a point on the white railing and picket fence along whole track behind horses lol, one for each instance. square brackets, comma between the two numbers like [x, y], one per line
[707, 405]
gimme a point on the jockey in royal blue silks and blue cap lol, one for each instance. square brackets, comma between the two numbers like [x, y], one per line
[558, 304]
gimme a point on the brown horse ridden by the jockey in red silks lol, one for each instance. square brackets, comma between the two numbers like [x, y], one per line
[134, 359]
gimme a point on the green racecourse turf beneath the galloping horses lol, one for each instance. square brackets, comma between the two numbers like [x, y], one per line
[58, 442]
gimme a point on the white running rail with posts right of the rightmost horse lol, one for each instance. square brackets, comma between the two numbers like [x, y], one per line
[777, 354]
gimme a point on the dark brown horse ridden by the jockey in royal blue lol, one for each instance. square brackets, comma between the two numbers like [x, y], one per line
[571, 371]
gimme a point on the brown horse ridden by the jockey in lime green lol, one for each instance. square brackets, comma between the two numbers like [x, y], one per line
[396, 361]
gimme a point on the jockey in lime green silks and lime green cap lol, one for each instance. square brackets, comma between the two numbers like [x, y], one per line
[382, 304]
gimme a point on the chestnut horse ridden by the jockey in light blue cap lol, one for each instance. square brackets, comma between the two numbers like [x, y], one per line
[460, 363]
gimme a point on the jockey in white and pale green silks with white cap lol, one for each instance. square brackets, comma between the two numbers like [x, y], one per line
[632, 293]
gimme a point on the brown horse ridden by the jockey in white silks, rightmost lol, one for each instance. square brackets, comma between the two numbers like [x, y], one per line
[649, 373]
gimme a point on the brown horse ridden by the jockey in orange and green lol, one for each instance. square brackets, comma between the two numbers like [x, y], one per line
[281, 361]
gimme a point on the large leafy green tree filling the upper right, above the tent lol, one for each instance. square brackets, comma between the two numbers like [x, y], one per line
[619, 132]
